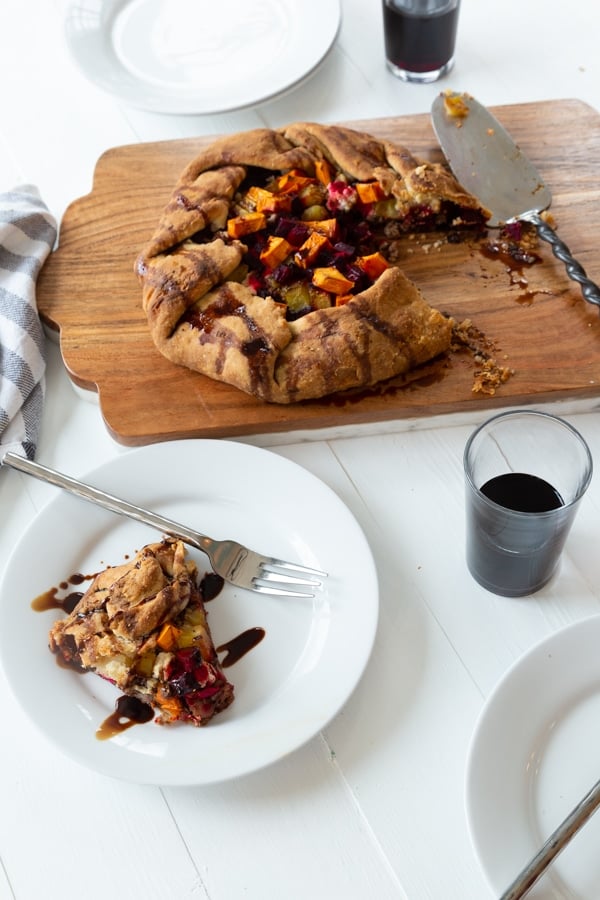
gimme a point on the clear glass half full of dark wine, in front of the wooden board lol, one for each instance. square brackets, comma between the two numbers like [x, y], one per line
[525, 474]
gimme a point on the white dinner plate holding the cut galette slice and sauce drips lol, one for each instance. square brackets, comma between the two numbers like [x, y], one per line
[286, 689]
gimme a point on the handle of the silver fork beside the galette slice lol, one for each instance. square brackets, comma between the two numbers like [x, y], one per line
[107, 501]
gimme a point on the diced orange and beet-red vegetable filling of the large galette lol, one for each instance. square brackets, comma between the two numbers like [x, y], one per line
[313, 242]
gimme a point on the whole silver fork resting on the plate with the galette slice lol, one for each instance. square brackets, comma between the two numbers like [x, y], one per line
[229, 559]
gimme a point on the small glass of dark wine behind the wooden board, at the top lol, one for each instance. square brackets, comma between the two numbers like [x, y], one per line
[419, 37]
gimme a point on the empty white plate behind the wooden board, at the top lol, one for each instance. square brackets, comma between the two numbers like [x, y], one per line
[199, 56]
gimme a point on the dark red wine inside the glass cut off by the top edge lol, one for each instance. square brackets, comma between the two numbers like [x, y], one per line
[416, 43]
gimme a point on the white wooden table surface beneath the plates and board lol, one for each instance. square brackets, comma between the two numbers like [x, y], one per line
[374, 805]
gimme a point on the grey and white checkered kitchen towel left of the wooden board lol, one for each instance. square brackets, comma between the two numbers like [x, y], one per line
[27, 234]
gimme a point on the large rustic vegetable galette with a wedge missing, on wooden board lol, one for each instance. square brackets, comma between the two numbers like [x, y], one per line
[268, 268]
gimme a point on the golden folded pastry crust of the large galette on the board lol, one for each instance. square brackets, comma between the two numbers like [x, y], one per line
[203, 313]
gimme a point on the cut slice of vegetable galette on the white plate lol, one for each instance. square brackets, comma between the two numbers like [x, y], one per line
[143, 626]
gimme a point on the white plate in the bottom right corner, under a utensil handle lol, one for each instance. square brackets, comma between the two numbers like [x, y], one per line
[535, 754]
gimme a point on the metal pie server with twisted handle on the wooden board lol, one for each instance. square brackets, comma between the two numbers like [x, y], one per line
[490, 165]
